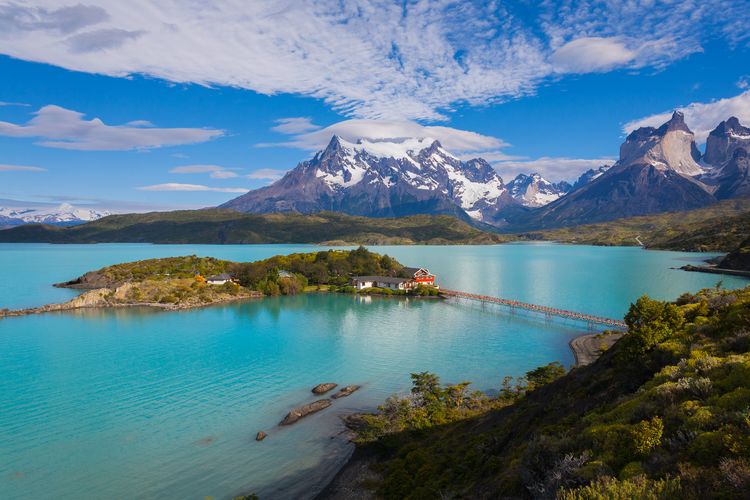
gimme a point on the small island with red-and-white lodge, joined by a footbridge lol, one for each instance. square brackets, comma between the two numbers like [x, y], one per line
[189, 282]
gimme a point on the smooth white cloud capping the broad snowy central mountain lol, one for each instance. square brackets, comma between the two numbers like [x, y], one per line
[454, 140]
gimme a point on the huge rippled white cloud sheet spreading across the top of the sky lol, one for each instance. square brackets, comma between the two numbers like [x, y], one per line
[365, 58]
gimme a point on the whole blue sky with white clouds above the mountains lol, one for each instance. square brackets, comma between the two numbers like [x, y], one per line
[161, 105]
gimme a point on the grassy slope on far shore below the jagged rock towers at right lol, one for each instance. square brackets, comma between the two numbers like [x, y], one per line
[720, 227]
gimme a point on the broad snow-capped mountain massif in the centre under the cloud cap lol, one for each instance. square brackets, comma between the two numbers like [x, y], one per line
[392, 177]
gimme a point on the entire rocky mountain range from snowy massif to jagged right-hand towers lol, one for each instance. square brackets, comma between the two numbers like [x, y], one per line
[659, 169]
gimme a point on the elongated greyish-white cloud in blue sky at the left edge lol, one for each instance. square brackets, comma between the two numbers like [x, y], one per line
[66, 129]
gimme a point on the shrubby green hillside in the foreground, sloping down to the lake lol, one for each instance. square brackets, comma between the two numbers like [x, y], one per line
[664, 413]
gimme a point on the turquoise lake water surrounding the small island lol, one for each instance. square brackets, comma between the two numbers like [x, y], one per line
[150, 404]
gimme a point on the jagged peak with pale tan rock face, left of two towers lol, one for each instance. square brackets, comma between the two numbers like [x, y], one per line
[669, 147]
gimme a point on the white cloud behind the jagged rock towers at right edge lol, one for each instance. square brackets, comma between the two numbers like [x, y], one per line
[701, 117]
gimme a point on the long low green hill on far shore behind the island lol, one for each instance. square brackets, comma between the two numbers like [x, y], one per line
[226, 226]
